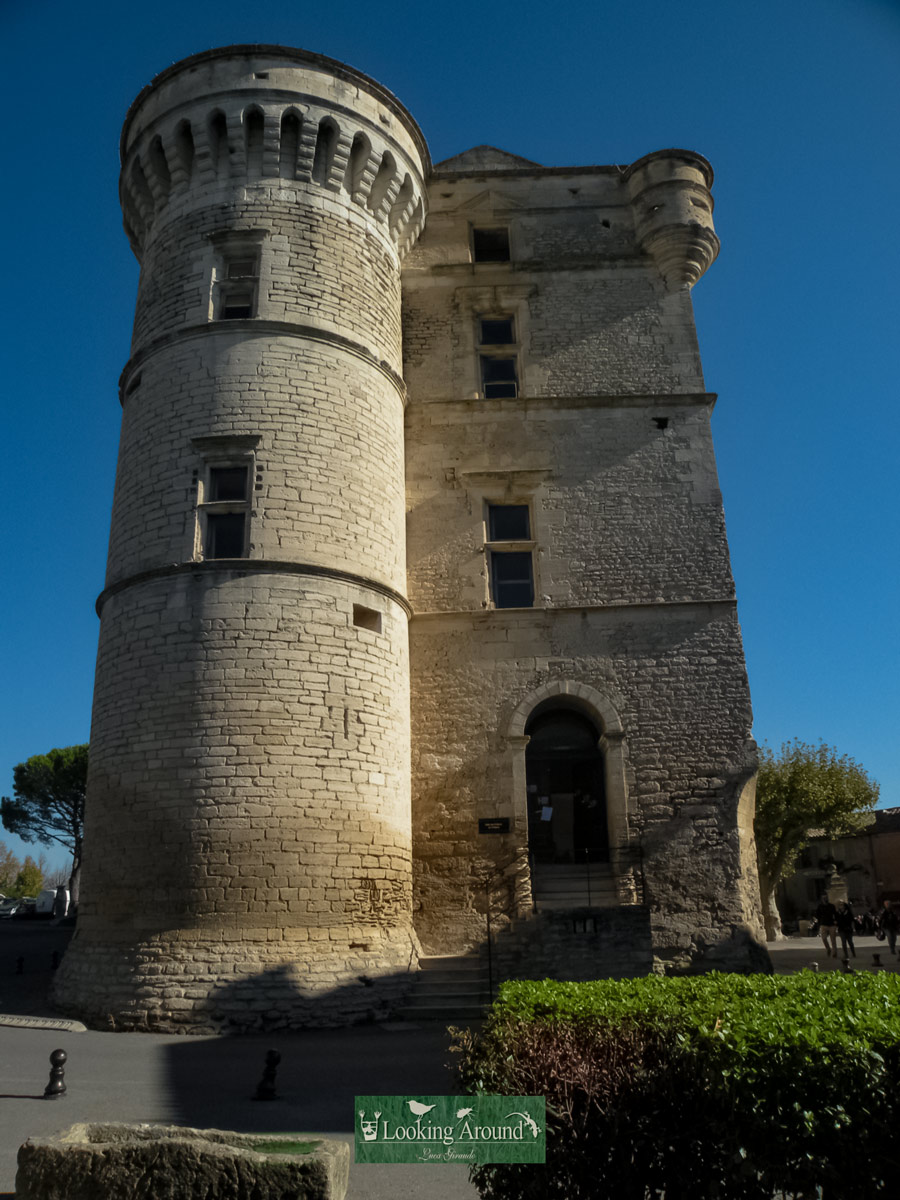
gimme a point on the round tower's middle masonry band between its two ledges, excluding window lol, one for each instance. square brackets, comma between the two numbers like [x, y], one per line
[329, 459]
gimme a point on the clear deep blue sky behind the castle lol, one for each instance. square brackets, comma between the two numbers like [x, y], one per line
[796, 105]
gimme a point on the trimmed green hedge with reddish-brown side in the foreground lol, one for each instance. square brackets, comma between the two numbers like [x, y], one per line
[739, 1088]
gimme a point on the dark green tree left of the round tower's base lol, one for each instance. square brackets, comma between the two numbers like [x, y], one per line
[49, 803]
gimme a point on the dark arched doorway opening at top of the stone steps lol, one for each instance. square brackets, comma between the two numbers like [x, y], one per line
[567, 802]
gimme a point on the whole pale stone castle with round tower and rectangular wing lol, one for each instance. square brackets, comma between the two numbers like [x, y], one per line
[418, 604]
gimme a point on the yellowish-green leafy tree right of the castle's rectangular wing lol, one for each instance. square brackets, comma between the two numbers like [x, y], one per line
[803, 788]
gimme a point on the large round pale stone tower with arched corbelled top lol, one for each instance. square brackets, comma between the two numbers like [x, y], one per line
[248, 843]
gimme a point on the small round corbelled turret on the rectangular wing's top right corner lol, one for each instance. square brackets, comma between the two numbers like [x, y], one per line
[674, 213]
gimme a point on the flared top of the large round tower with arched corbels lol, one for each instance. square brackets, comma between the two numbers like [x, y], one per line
[257, 116]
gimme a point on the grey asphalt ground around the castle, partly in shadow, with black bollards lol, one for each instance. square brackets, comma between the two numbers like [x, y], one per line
[209, 1082]
